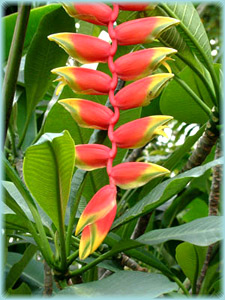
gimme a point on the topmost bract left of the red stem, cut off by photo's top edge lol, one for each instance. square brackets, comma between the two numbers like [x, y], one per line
[97, 13]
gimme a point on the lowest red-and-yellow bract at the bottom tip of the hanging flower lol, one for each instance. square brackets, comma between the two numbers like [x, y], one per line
[94, 234]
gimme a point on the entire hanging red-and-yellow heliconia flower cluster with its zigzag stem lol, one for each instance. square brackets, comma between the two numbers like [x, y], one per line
[97, 217]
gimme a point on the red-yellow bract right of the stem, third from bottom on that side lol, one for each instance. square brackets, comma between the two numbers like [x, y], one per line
[141, 92]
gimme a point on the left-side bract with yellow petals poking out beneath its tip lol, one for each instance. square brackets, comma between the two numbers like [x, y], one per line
[83, 80]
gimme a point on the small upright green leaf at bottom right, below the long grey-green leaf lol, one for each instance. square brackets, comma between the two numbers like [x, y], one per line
[191, 259]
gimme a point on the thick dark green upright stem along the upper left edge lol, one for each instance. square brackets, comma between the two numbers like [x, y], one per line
[15, 54]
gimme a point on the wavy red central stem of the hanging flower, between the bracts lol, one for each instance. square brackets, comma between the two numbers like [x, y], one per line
[113, 85]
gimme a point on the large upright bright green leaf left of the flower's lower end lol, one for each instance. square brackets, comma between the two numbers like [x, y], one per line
[48, 169]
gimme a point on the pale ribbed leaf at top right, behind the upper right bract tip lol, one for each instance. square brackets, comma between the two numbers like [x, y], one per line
[191, 28]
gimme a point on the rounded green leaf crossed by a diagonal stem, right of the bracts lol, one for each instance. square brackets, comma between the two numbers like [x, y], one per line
[175, 101]
